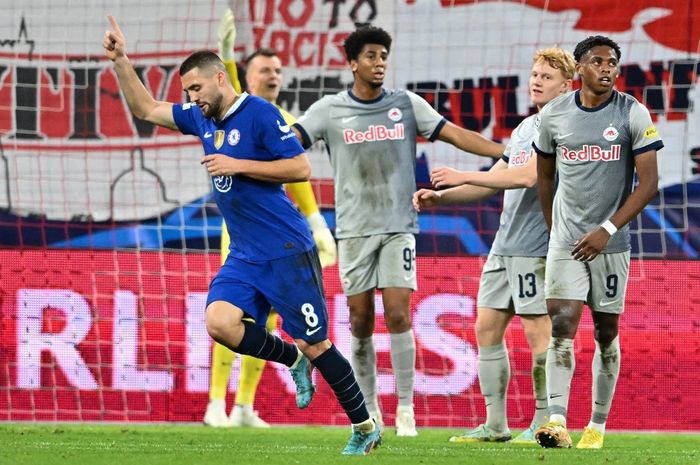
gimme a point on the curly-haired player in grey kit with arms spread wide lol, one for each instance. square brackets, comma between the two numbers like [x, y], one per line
[371, 135]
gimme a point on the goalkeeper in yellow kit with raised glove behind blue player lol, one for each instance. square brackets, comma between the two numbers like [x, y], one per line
[264, 79]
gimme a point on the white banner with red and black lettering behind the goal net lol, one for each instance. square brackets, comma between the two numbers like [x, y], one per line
[72, 149]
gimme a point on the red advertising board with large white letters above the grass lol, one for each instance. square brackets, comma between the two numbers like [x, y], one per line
[88, 335]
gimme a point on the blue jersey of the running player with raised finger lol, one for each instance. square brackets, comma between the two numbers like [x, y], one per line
[261, 220]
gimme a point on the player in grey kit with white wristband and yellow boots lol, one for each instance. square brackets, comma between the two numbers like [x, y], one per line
[596, 139]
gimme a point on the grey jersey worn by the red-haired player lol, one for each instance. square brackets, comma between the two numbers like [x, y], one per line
[523, 231]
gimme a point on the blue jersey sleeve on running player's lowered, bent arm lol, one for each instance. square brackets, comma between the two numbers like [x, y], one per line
[276, 135]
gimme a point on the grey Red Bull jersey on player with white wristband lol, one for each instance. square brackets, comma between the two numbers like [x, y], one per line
[594, 149]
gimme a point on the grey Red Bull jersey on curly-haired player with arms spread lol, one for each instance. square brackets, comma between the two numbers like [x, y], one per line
[372, 147]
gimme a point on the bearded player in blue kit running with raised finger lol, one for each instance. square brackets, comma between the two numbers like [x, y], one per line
[273, 262]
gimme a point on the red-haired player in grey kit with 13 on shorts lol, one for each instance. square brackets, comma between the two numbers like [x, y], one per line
[512, 279]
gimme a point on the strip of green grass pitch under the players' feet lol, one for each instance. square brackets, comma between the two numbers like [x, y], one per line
[95, 444]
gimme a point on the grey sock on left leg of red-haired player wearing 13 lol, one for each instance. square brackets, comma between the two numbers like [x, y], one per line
[494, 374]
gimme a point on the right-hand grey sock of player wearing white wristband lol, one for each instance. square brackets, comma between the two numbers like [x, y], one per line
[606, 369]
